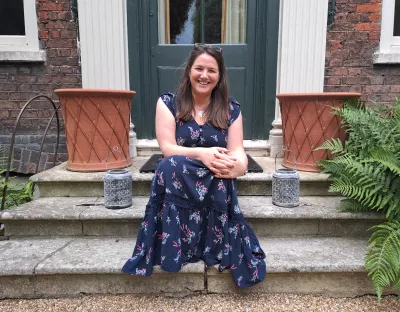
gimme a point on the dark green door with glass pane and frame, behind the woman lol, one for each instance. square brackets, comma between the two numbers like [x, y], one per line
[161, 38]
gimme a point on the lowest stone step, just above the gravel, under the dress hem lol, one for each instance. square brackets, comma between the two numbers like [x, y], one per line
[32, 268]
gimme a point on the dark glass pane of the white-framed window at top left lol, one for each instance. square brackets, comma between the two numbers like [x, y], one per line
[12, 21]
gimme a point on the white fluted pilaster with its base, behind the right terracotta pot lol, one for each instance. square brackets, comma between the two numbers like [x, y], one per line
[301, 54]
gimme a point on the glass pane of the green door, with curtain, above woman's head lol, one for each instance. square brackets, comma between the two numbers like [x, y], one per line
[208, 21]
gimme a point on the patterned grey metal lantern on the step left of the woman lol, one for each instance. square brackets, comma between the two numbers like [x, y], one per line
[117, 189]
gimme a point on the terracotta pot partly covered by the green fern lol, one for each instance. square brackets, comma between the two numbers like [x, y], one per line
[307, 122]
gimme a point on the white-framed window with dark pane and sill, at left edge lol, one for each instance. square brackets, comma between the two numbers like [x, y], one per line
[18, 31]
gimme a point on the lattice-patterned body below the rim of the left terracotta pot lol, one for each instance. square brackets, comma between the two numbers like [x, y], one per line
[99, 121]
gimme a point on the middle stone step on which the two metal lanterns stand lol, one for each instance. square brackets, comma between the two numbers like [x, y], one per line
[87, 216]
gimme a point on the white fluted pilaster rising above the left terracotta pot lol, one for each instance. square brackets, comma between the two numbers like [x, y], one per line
[104, 44]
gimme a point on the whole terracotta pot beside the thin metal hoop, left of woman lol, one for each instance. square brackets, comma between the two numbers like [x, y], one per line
[96, 127]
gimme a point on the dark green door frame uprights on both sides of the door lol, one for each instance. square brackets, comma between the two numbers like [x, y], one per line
[140, 15]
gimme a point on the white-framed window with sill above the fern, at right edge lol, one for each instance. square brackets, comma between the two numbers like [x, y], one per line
[389, 47]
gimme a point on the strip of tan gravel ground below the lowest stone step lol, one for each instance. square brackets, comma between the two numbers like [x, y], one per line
[253, 302]
